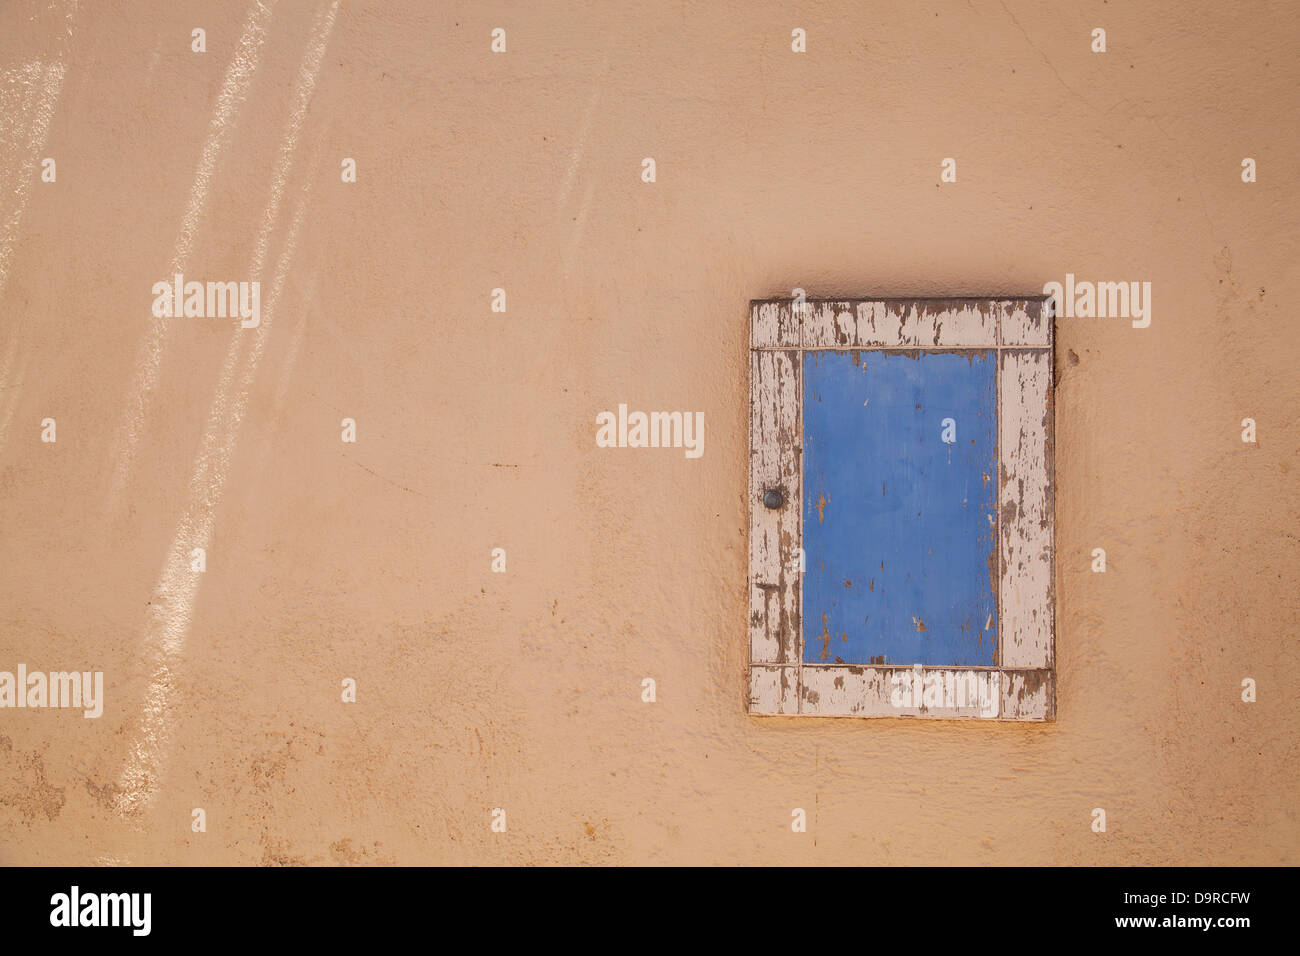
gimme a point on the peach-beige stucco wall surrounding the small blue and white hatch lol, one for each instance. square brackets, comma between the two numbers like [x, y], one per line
[476, 430]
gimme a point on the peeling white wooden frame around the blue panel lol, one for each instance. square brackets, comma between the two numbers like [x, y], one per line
[1022, 684]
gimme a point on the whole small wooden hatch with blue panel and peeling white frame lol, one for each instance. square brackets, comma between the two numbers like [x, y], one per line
[902, 542]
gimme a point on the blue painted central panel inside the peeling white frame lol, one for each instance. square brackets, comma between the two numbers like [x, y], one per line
[899, 526]
